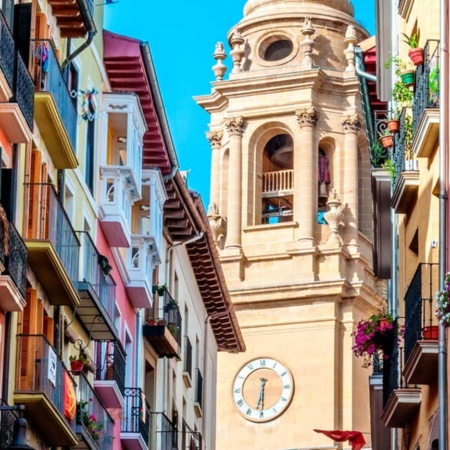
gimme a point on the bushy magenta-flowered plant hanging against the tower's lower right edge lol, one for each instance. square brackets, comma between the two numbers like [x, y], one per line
[371, 334]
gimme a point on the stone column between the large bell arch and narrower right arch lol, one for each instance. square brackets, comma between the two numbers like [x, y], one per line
[305, 176]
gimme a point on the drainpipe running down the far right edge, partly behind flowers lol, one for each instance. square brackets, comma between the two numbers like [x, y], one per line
[443, 180]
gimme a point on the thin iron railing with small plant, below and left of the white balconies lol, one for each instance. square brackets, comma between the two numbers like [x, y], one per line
[91, 272]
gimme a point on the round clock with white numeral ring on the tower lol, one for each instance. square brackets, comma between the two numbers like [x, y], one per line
[263, 389]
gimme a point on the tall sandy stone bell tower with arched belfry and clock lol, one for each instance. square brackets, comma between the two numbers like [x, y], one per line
[291, 214]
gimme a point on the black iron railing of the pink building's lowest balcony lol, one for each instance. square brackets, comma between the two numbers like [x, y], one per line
[136, 413]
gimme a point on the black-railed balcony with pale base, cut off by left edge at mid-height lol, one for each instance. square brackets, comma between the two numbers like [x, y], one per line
[13, 259]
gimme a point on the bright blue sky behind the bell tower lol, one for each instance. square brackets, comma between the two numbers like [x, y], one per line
[182, 36]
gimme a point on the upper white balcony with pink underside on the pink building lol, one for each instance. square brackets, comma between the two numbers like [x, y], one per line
[117, 194]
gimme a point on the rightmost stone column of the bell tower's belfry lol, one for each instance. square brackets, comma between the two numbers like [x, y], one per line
[351, 125]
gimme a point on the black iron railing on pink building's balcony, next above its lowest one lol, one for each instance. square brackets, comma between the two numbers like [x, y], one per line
[111, 360]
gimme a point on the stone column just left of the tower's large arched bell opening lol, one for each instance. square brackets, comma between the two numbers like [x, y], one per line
[235, 128]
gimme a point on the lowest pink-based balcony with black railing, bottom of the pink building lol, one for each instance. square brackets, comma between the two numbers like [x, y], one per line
[136, 420]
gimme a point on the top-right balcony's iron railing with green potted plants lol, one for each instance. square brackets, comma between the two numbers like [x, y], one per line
[426, 90]
